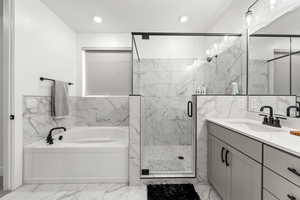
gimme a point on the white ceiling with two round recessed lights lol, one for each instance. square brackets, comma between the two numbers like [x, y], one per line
[138, 15]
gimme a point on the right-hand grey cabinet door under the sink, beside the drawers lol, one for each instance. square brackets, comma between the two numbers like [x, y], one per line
[245, 177]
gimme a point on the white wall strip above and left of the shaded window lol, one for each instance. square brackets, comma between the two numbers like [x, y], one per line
[104, 40]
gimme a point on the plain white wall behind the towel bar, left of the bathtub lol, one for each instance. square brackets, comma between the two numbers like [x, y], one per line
[44, 46]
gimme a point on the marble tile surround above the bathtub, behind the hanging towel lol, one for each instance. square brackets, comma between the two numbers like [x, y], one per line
[91, 111]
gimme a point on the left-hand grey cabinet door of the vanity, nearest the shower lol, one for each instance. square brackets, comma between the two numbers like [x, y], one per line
[218, 173]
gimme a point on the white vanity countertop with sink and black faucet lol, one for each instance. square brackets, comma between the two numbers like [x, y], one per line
[276, 137]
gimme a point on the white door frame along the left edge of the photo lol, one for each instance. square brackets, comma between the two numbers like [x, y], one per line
[8, 93]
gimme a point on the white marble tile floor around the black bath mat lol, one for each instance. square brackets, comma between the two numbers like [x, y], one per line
[93, 192]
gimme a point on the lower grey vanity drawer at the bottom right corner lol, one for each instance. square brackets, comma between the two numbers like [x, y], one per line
[279, 187]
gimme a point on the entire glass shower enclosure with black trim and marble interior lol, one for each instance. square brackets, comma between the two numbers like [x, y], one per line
[169, 70]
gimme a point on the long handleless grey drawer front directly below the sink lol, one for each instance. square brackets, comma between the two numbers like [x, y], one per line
[244, 144]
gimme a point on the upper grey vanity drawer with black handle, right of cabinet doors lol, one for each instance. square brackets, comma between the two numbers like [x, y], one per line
[282, 163]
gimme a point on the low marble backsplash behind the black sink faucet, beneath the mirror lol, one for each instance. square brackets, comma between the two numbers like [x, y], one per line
[279, 103]
